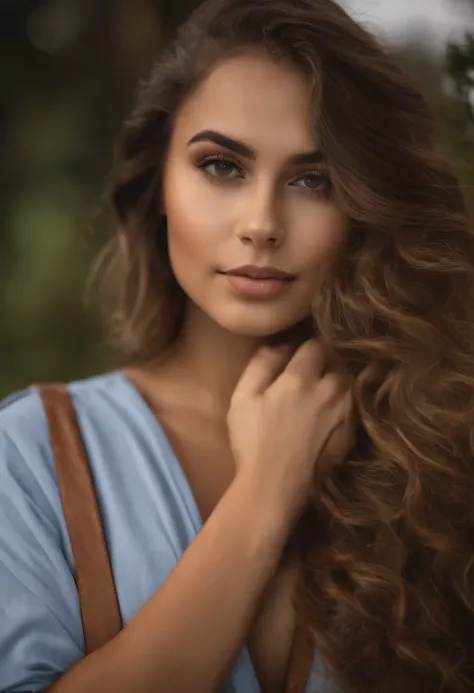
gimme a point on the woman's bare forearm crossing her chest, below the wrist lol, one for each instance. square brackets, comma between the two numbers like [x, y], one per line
[188, 635]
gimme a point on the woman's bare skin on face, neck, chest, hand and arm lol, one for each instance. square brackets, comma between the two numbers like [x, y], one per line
[246, 424]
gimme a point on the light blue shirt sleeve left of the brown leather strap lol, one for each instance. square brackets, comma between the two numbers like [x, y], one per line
[40, 624]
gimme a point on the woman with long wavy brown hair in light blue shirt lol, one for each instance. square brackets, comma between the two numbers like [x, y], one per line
[275, 135]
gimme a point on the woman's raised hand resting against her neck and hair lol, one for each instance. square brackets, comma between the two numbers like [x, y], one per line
[288, 415]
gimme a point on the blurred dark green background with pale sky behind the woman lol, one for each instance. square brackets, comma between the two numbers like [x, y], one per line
[69, 70]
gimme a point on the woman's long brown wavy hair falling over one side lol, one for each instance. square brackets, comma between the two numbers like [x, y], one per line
[391, 548]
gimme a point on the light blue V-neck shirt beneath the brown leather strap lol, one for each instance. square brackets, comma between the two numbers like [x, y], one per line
[149, 514]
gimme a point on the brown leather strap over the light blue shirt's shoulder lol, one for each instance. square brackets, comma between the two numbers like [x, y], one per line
[101, 620]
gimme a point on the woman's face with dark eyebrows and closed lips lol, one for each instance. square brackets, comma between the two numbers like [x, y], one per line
[244, 184]
